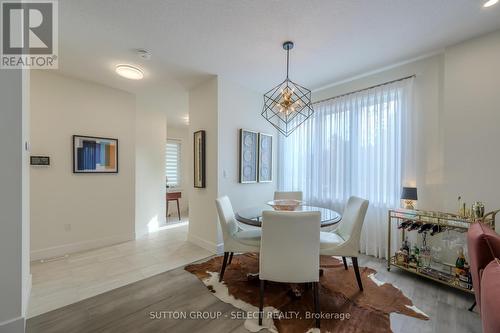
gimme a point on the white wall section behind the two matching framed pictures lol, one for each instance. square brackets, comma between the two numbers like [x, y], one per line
[240, 107]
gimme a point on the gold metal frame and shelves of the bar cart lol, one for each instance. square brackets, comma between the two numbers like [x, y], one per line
[443, 220]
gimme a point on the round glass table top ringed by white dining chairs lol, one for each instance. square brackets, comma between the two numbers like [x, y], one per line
[253, 215]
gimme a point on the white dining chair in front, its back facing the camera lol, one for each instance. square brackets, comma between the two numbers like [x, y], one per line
[289, 251]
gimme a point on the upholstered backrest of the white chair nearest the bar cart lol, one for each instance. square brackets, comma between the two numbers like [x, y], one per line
[352, 219]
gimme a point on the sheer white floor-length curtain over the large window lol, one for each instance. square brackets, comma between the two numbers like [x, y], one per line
[359, 144]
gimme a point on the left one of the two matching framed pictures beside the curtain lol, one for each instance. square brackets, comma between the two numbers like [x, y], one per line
[248, 156]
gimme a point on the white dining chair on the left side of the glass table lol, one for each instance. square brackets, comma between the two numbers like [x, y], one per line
[234, 238]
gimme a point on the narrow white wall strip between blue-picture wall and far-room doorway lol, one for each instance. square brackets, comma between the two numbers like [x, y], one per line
[151, 133]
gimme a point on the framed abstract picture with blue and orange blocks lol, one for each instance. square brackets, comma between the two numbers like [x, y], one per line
[94, 154]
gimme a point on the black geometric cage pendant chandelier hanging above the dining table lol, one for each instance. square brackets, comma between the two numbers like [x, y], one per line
[287, 105]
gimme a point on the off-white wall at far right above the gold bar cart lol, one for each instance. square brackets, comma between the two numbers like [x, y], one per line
[472, 122]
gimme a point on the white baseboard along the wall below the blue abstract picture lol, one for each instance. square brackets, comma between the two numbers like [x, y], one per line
[61, 250]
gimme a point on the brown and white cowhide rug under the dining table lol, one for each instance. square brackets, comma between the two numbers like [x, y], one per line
[349, 309]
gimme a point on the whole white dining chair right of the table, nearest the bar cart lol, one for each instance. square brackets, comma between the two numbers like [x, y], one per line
[344, 240]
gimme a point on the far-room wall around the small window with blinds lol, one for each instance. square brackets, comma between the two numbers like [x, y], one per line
[182, 134]
